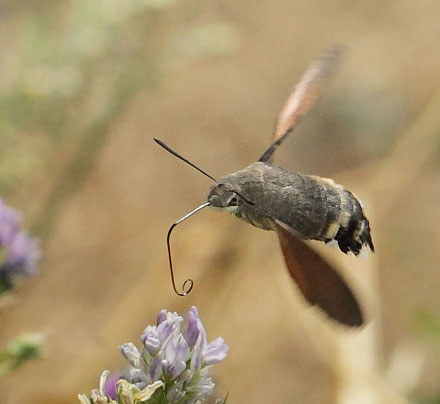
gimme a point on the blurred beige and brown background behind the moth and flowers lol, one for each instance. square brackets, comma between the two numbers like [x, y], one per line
[85, 86]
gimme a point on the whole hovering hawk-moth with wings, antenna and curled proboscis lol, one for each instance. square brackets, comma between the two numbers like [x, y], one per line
[296, 206]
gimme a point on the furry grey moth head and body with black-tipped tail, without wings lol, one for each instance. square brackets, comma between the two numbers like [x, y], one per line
[310, 207]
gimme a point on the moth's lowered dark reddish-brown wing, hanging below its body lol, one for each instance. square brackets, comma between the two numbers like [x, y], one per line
[320, 284]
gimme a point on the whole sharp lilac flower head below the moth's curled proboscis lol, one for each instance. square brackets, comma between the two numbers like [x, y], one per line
[172, 367]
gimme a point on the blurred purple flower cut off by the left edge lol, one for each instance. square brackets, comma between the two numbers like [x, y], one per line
[19, 252]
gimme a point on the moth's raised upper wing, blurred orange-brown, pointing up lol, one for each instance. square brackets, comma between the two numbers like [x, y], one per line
[303, 96]
